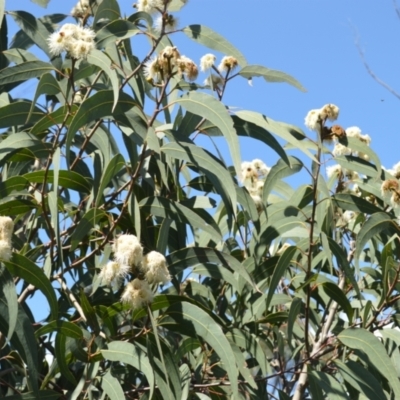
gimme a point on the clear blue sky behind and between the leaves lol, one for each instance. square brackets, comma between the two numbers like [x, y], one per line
[312, 40]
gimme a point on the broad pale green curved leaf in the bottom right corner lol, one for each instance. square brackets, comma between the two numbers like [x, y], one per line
[375, 351]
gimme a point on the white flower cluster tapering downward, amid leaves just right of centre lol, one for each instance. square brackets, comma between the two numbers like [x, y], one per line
[253, 177]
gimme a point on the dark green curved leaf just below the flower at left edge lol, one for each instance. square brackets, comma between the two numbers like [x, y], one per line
[22, 267]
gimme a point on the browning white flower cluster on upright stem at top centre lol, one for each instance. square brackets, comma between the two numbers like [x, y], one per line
[168, 63]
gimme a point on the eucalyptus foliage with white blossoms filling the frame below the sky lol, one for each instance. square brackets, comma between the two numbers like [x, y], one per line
[168, 273]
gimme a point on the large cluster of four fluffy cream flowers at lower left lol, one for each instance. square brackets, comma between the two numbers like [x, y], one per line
[128, 258]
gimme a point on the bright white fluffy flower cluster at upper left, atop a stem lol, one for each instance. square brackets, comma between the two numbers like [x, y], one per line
[73, 39]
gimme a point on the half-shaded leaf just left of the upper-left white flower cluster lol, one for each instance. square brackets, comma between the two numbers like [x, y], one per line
[34, 28]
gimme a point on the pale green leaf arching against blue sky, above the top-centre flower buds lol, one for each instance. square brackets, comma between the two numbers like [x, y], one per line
[213, 40]
